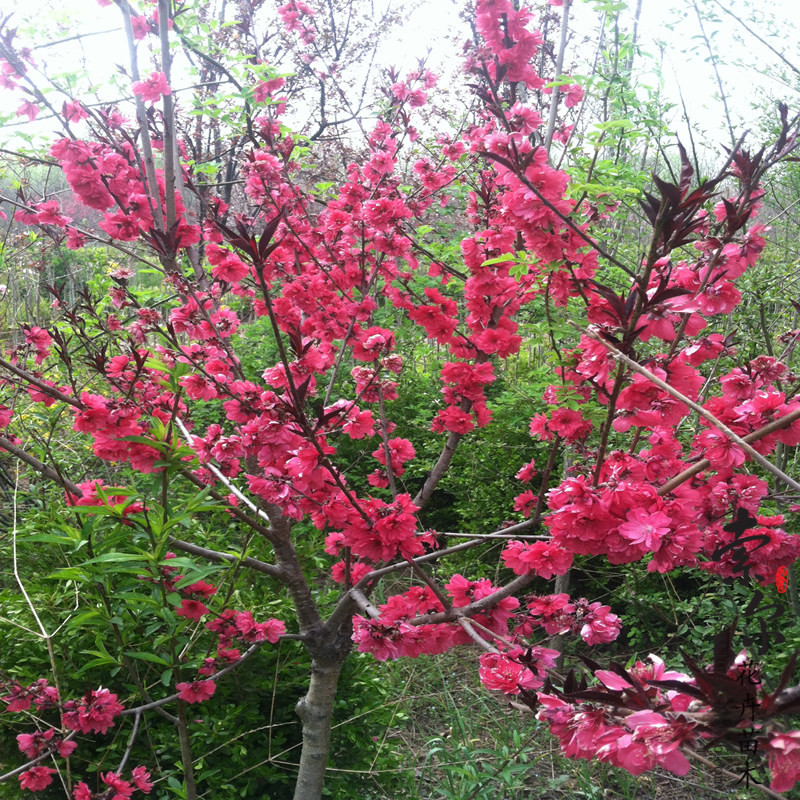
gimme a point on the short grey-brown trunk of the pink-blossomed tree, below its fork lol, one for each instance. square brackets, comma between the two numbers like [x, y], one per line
[316, 712]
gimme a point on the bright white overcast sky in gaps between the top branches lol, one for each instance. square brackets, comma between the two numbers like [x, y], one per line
[673, 23]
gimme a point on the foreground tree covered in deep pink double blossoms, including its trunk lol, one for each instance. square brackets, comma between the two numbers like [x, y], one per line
[321, 274]
